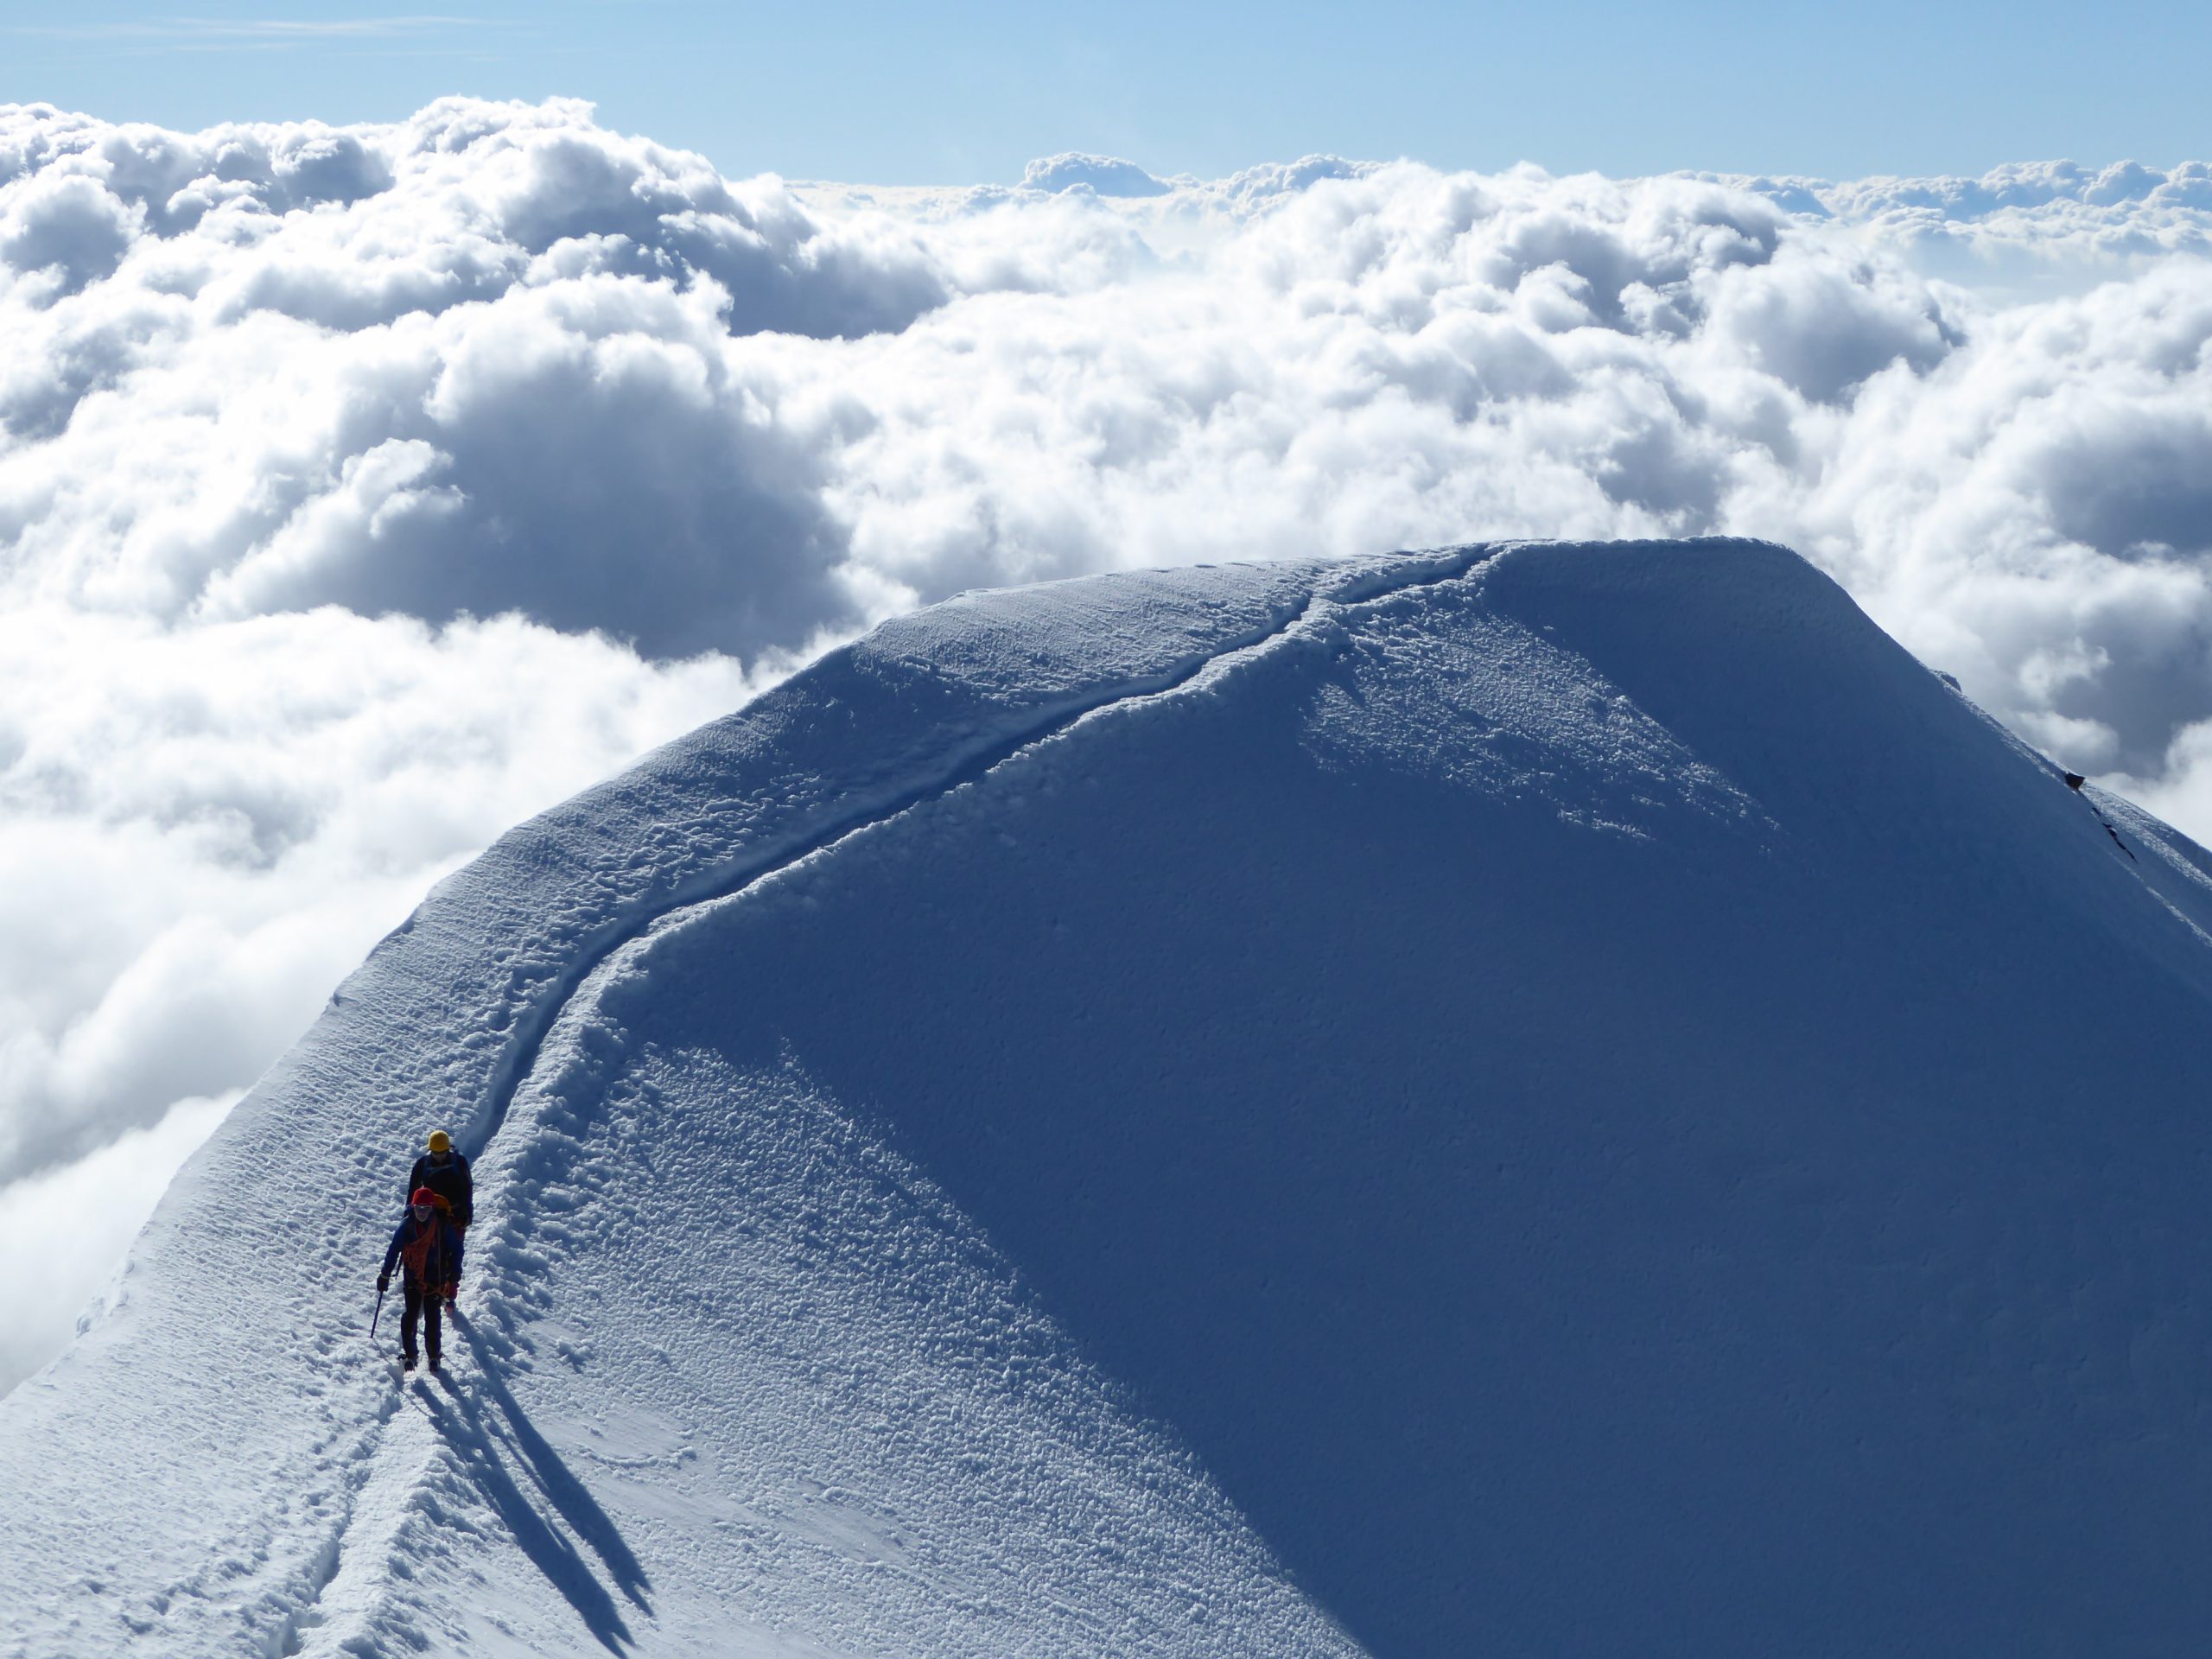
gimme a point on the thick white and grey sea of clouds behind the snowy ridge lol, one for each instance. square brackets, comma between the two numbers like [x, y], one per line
[366, 490]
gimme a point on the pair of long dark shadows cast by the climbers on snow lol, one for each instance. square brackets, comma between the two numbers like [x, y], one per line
[494, 1439]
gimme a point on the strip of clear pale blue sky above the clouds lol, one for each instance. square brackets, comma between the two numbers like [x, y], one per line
[970, 92]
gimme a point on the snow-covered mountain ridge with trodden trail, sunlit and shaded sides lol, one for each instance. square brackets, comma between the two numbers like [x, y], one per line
[1525, 1100]
